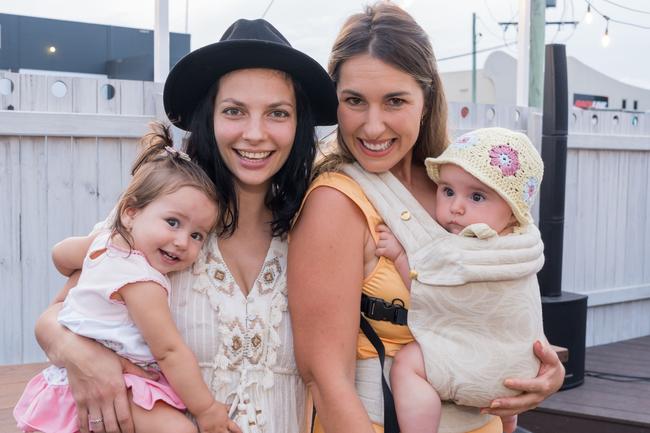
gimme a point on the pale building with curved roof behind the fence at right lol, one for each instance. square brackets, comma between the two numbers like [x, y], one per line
[588, 88]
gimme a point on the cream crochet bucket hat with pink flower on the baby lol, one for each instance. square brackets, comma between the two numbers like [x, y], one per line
[504, 160]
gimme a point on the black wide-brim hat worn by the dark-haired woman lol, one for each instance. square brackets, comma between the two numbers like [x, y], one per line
[246, 44]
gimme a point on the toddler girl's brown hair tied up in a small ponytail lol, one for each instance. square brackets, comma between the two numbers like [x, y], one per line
[158, 170]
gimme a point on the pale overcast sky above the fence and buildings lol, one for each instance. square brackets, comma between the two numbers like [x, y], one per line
[311, 25]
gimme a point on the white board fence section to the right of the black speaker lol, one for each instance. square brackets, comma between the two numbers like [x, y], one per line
[607, 233]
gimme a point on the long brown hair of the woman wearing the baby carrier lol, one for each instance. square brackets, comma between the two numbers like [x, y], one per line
[390, 34]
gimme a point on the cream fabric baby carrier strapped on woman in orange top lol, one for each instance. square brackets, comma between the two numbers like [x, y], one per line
[475, 303]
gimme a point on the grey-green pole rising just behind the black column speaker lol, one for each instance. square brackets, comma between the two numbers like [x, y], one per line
[537, 54]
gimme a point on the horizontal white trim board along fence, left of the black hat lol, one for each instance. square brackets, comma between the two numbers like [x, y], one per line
[34, 123]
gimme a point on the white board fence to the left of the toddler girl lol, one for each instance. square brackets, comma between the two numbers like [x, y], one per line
[53, 186]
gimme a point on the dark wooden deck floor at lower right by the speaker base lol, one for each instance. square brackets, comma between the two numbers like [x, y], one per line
[600, 405]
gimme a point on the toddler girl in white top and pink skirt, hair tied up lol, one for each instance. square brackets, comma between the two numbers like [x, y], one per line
[121, 299]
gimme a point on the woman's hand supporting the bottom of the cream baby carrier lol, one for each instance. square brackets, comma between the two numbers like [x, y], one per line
[549, 379]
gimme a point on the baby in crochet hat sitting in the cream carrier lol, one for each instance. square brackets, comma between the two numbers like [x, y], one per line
[487, 180]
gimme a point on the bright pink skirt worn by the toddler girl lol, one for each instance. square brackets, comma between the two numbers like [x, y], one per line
[47, 404]
